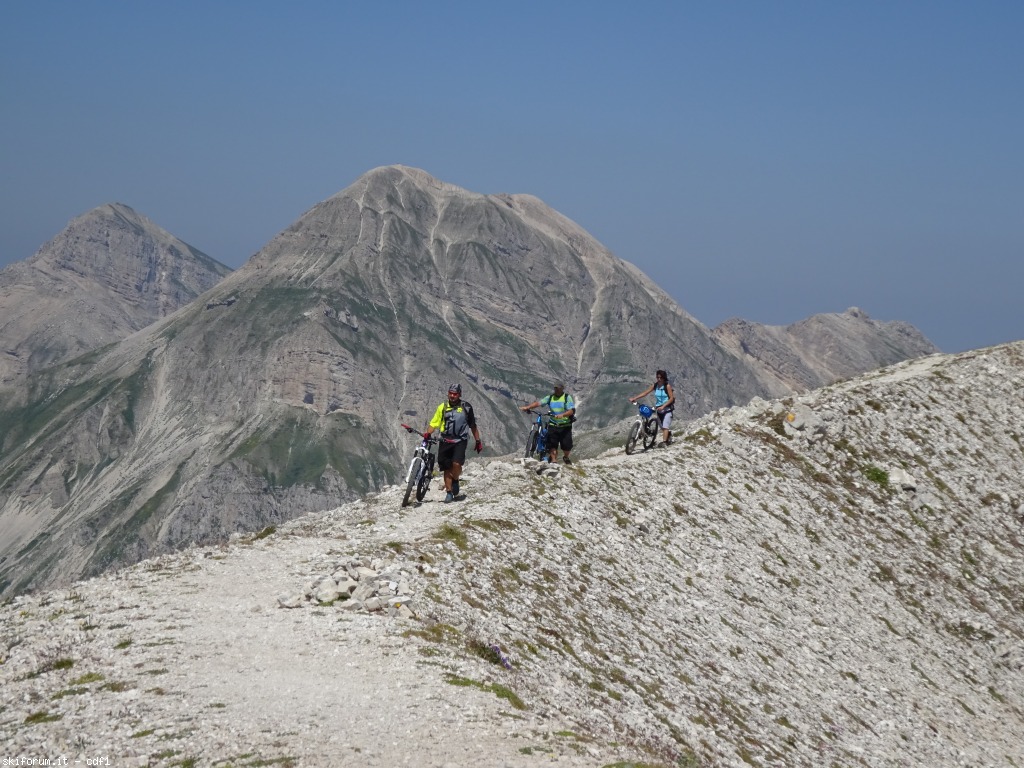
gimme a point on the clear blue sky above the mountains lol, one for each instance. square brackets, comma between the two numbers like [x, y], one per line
[762, 160]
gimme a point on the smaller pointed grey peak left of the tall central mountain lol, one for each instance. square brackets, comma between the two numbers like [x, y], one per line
[110, 273]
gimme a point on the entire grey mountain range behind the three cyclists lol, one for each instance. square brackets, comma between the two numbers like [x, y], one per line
[157, 413]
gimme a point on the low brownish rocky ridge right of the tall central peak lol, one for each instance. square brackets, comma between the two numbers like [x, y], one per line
[821, 350]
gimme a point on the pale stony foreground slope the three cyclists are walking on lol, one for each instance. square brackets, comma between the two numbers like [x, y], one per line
[832, 579]
